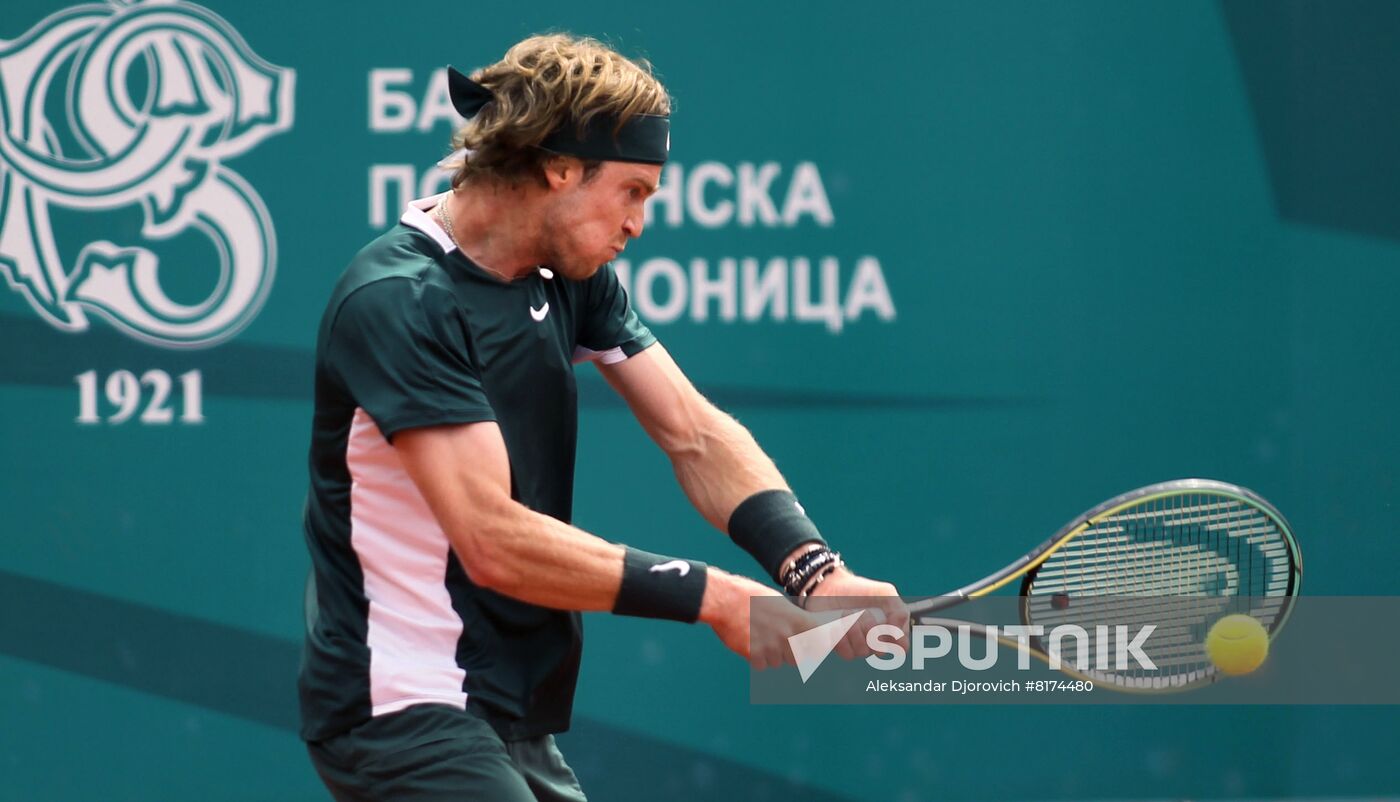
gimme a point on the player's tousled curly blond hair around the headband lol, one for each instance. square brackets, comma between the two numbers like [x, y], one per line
[542, 85]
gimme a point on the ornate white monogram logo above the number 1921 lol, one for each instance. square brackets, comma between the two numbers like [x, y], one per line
[138, 106]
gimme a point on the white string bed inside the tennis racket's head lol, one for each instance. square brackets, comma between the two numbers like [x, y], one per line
[1177, 562]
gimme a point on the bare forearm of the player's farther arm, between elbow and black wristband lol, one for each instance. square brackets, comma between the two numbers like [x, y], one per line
[720, 465]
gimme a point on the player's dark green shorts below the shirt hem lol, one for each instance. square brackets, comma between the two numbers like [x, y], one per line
[435, 752]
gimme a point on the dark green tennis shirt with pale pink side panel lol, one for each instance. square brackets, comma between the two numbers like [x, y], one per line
[416, 335]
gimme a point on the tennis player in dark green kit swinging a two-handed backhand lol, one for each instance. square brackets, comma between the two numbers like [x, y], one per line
[449, 580]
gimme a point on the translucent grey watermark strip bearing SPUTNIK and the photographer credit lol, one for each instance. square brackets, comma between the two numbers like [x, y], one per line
[1102, 650]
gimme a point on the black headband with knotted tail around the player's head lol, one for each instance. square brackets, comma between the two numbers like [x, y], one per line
[645, 139]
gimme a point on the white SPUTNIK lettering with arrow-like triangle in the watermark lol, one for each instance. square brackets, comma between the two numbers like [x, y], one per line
[936, 642]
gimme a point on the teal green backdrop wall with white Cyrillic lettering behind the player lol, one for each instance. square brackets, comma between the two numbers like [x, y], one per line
[965, 269]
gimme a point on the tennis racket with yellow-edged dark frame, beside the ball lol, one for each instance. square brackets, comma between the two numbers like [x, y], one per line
[1178, 555]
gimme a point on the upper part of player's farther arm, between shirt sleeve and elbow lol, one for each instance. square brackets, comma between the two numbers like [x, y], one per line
[667, 405]
